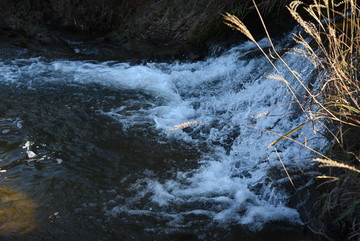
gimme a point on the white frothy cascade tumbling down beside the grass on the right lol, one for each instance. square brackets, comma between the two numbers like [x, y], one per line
[232, 90]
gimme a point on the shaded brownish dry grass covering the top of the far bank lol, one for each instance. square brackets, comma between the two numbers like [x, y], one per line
[165, 22]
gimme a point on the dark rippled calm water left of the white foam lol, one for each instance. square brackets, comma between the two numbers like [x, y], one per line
[70, 159]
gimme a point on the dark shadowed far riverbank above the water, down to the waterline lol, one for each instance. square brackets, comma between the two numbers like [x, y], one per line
[154, 30]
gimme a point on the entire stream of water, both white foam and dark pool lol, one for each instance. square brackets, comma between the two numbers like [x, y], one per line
[85, 149]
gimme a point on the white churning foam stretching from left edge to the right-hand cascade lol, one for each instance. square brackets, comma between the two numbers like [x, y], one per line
[235, 103]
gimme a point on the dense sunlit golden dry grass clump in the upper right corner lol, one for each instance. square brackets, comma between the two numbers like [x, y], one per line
[336, 32]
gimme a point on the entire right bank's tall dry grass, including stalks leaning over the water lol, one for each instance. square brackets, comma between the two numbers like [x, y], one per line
[334, 27]
